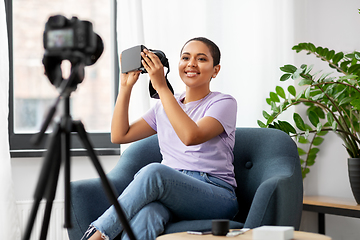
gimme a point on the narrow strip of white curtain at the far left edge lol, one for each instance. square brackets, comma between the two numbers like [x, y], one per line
[9, 225]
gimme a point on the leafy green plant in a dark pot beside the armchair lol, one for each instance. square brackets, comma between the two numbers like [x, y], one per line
[332, 103]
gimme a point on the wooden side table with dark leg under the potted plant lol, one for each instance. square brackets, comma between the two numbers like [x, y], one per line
[330, 205]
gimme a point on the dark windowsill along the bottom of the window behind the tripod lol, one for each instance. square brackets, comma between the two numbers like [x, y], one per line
[73, 152]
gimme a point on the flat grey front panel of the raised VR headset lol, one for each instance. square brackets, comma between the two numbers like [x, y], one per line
[131, 59]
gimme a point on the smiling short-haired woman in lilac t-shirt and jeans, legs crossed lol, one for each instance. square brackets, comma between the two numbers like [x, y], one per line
[196, 132]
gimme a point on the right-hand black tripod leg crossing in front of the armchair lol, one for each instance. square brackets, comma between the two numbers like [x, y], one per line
[106, 184]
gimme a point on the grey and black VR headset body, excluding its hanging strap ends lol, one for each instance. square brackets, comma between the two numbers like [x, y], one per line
[131, 59]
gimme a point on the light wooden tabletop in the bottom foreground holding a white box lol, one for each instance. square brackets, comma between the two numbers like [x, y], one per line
[246, 236]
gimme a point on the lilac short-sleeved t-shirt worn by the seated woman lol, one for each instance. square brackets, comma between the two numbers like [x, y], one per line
[215, 156]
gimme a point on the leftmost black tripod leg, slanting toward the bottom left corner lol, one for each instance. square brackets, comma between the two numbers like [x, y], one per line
[42, 184]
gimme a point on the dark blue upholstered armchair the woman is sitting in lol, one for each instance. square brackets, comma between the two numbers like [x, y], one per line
[267, 171]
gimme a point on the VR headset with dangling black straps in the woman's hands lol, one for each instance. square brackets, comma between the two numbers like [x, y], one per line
[131, 61]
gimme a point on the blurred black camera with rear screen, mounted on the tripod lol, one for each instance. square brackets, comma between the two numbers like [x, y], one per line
[72, 39]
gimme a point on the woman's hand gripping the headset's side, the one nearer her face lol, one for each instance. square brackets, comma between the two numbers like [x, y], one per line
[155, 69]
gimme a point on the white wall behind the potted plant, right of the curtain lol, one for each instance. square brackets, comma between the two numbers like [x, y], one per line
[333, 24]
